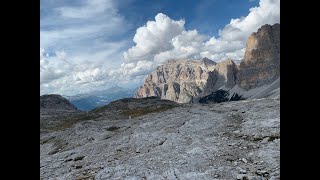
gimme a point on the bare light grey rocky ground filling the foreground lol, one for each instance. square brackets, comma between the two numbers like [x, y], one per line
[230, 140]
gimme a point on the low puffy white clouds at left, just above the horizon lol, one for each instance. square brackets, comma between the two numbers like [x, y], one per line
[60, 75]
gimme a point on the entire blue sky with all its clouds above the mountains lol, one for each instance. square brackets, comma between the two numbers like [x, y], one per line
[88, 45]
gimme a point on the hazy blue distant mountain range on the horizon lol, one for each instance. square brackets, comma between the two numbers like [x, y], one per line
[89, 101]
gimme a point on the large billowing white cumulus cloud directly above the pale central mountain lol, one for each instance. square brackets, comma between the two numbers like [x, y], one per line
[158, 41]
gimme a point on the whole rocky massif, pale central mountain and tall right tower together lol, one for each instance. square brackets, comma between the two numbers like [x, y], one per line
[257, 75]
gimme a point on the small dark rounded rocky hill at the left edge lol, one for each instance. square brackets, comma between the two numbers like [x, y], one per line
[57, 102]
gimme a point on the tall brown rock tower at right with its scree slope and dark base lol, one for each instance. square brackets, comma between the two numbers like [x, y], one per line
[259, 72]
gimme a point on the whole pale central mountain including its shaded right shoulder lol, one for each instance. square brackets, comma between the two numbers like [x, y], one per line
[182, 80]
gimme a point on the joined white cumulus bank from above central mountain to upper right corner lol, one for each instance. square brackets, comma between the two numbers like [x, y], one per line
[165, 38]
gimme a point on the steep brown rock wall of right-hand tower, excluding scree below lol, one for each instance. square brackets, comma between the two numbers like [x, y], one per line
[261, 63]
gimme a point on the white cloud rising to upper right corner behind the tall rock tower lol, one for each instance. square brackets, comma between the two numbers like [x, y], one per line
[234, 35]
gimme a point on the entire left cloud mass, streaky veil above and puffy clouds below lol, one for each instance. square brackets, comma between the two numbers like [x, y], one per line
[79, 39]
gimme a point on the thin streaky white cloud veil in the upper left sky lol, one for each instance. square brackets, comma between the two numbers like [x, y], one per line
[81, 29]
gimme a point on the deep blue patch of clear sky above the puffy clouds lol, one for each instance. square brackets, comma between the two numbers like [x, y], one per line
[207, 16]
